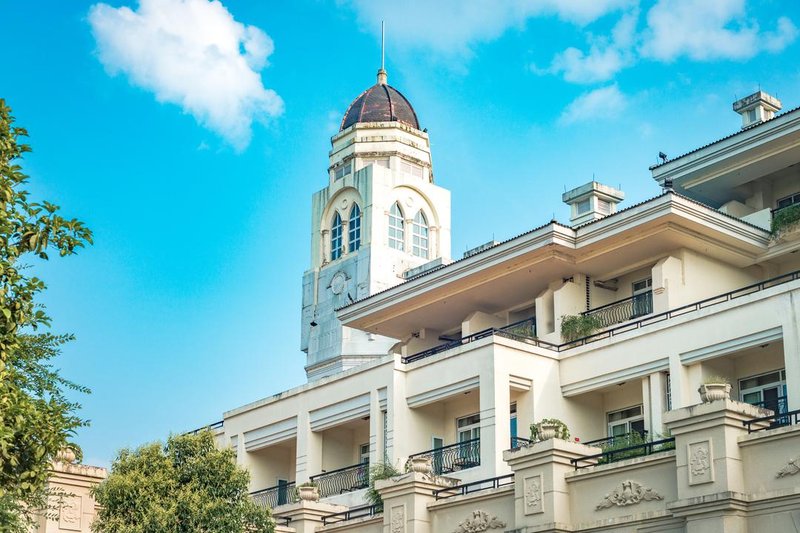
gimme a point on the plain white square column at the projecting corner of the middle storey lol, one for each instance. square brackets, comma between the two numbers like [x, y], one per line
[495, 402]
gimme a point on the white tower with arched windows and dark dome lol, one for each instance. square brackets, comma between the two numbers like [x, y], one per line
[379, 217]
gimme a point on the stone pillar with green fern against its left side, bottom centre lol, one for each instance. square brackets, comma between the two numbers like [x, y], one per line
[405, 502]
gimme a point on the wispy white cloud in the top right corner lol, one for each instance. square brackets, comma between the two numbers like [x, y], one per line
[705, 30]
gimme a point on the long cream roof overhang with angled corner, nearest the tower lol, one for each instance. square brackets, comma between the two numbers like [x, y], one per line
[516, 271]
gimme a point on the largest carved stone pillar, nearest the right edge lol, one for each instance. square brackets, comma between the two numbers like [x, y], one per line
[710, 477]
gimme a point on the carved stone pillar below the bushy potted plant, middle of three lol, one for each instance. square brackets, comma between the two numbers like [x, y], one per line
[541, 494]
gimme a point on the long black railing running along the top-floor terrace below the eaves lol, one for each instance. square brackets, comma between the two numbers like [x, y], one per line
[624, 328]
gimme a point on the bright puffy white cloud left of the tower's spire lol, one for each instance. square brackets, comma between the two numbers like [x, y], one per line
[192, 53]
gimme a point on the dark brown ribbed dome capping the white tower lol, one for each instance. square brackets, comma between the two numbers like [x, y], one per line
[380, 103]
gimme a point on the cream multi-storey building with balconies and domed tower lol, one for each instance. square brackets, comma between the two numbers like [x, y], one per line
[609, 323]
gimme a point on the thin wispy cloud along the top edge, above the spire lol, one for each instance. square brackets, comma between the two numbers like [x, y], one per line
[453, 26]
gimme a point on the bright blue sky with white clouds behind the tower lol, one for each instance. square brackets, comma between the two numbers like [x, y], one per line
[190, 136]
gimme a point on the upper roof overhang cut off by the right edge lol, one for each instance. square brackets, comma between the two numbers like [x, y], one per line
[710, 173]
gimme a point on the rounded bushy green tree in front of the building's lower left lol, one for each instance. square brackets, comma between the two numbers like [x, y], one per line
[187, 485]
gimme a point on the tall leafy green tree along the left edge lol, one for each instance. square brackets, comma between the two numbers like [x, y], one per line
[36, 419]
